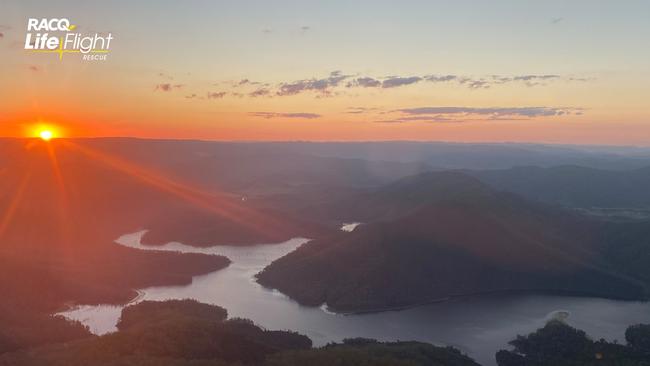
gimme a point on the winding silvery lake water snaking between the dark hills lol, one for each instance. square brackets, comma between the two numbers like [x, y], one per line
[479, 326]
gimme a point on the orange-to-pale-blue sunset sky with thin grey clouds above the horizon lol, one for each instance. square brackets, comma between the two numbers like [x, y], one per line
[494, 71]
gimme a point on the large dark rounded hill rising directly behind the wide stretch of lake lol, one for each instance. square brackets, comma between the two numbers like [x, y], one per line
[438, 235]
